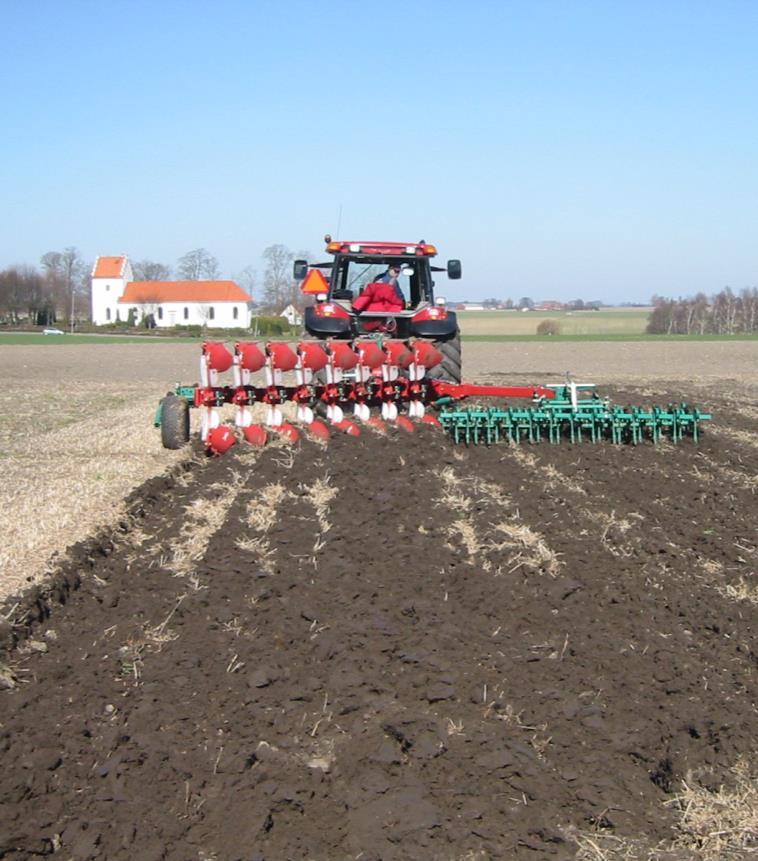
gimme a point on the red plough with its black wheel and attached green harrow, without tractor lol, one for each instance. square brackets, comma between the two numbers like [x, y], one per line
[334, 379]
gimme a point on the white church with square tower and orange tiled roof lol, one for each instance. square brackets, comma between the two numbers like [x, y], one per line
[171, 303]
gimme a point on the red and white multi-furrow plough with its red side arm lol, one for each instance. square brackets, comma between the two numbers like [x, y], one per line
[330, 378]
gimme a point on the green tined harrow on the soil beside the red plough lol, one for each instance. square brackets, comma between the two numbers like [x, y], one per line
[576, 413]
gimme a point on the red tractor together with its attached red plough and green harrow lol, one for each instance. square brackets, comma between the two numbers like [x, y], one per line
[387, 346]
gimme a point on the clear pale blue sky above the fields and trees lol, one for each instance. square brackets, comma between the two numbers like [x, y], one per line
[560, 149]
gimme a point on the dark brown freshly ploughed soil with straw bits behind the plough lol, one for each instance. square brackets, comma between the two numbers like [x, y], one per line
[390, 648]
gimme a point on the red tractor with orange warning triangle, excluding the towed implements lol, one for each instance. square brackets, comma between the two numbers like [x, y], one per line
[341, 288]
